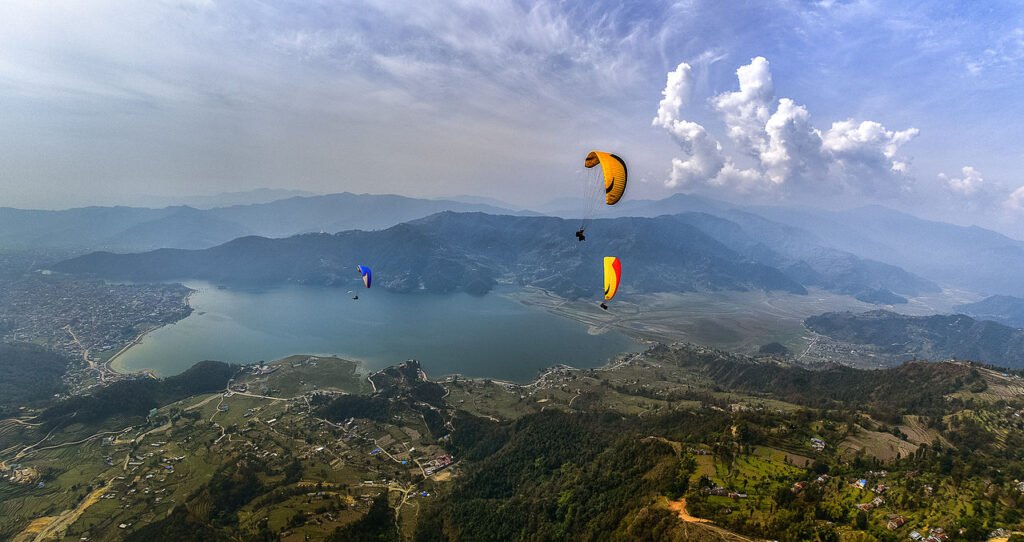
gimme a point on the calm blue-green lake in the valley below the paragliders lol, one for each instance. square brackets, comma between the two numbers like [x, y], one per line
[490, 337]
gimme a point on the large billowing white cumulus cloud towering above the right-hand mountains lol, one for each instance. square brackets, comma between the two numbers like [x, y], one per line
[787, 154]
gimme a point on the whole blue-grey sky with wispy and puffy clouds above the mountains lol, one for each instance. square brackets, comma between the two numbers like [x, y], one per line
[915, 106]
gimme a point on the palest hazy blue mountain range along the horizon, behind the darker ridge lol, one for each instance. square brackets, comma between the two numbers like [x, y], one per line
[877, 255]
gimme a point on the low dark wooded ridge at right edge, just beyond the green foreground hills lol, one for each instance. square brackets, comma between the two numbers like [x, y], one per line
[934, 338]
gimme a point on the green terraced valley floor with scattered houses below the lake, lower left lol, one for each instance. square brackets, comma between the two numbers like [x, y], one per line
[266, 414]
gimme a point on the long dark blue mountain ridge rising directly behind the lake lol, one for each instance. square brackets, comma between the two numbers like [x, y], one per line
[474, 253]
